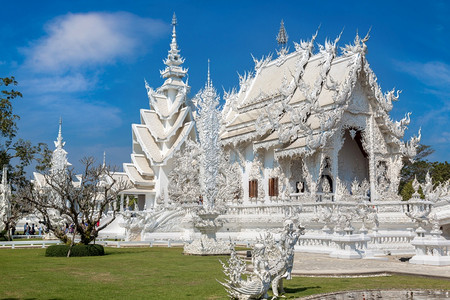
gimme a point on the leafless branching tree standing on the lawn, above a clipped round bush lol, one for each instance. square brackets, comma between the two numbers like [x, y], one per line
[63, 202]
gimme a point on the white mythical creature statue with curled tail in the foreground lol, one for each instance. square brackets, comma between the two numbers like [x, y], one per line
[271, 263]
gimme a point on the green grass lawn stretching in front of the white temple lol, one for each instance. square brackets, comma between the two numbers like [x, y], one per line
[152, 273]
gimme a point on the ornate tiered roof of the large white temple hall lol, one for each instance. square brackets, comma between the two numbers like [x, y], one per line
[295, 101]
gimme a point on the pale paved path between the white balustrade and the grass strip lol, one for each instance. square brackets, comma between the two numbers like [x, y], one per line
[307, 264]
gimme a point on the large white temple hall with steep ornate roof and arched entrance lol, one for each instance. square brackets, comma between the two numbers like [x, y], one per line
[308, 123]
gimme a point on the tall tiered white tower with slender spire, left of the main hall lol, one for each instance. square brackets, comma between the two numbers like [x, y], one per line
[163, 130]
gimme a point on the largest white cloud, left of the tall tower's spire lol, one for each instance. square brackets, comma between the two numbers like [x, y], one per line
[79, 41]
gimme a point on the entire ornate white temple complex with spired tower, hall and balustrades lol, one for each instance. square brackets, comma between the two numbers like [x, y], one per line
[306, 135]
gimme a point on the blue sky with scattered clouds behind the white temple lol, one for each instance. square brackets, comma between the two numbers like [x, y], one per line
[86, 60]
